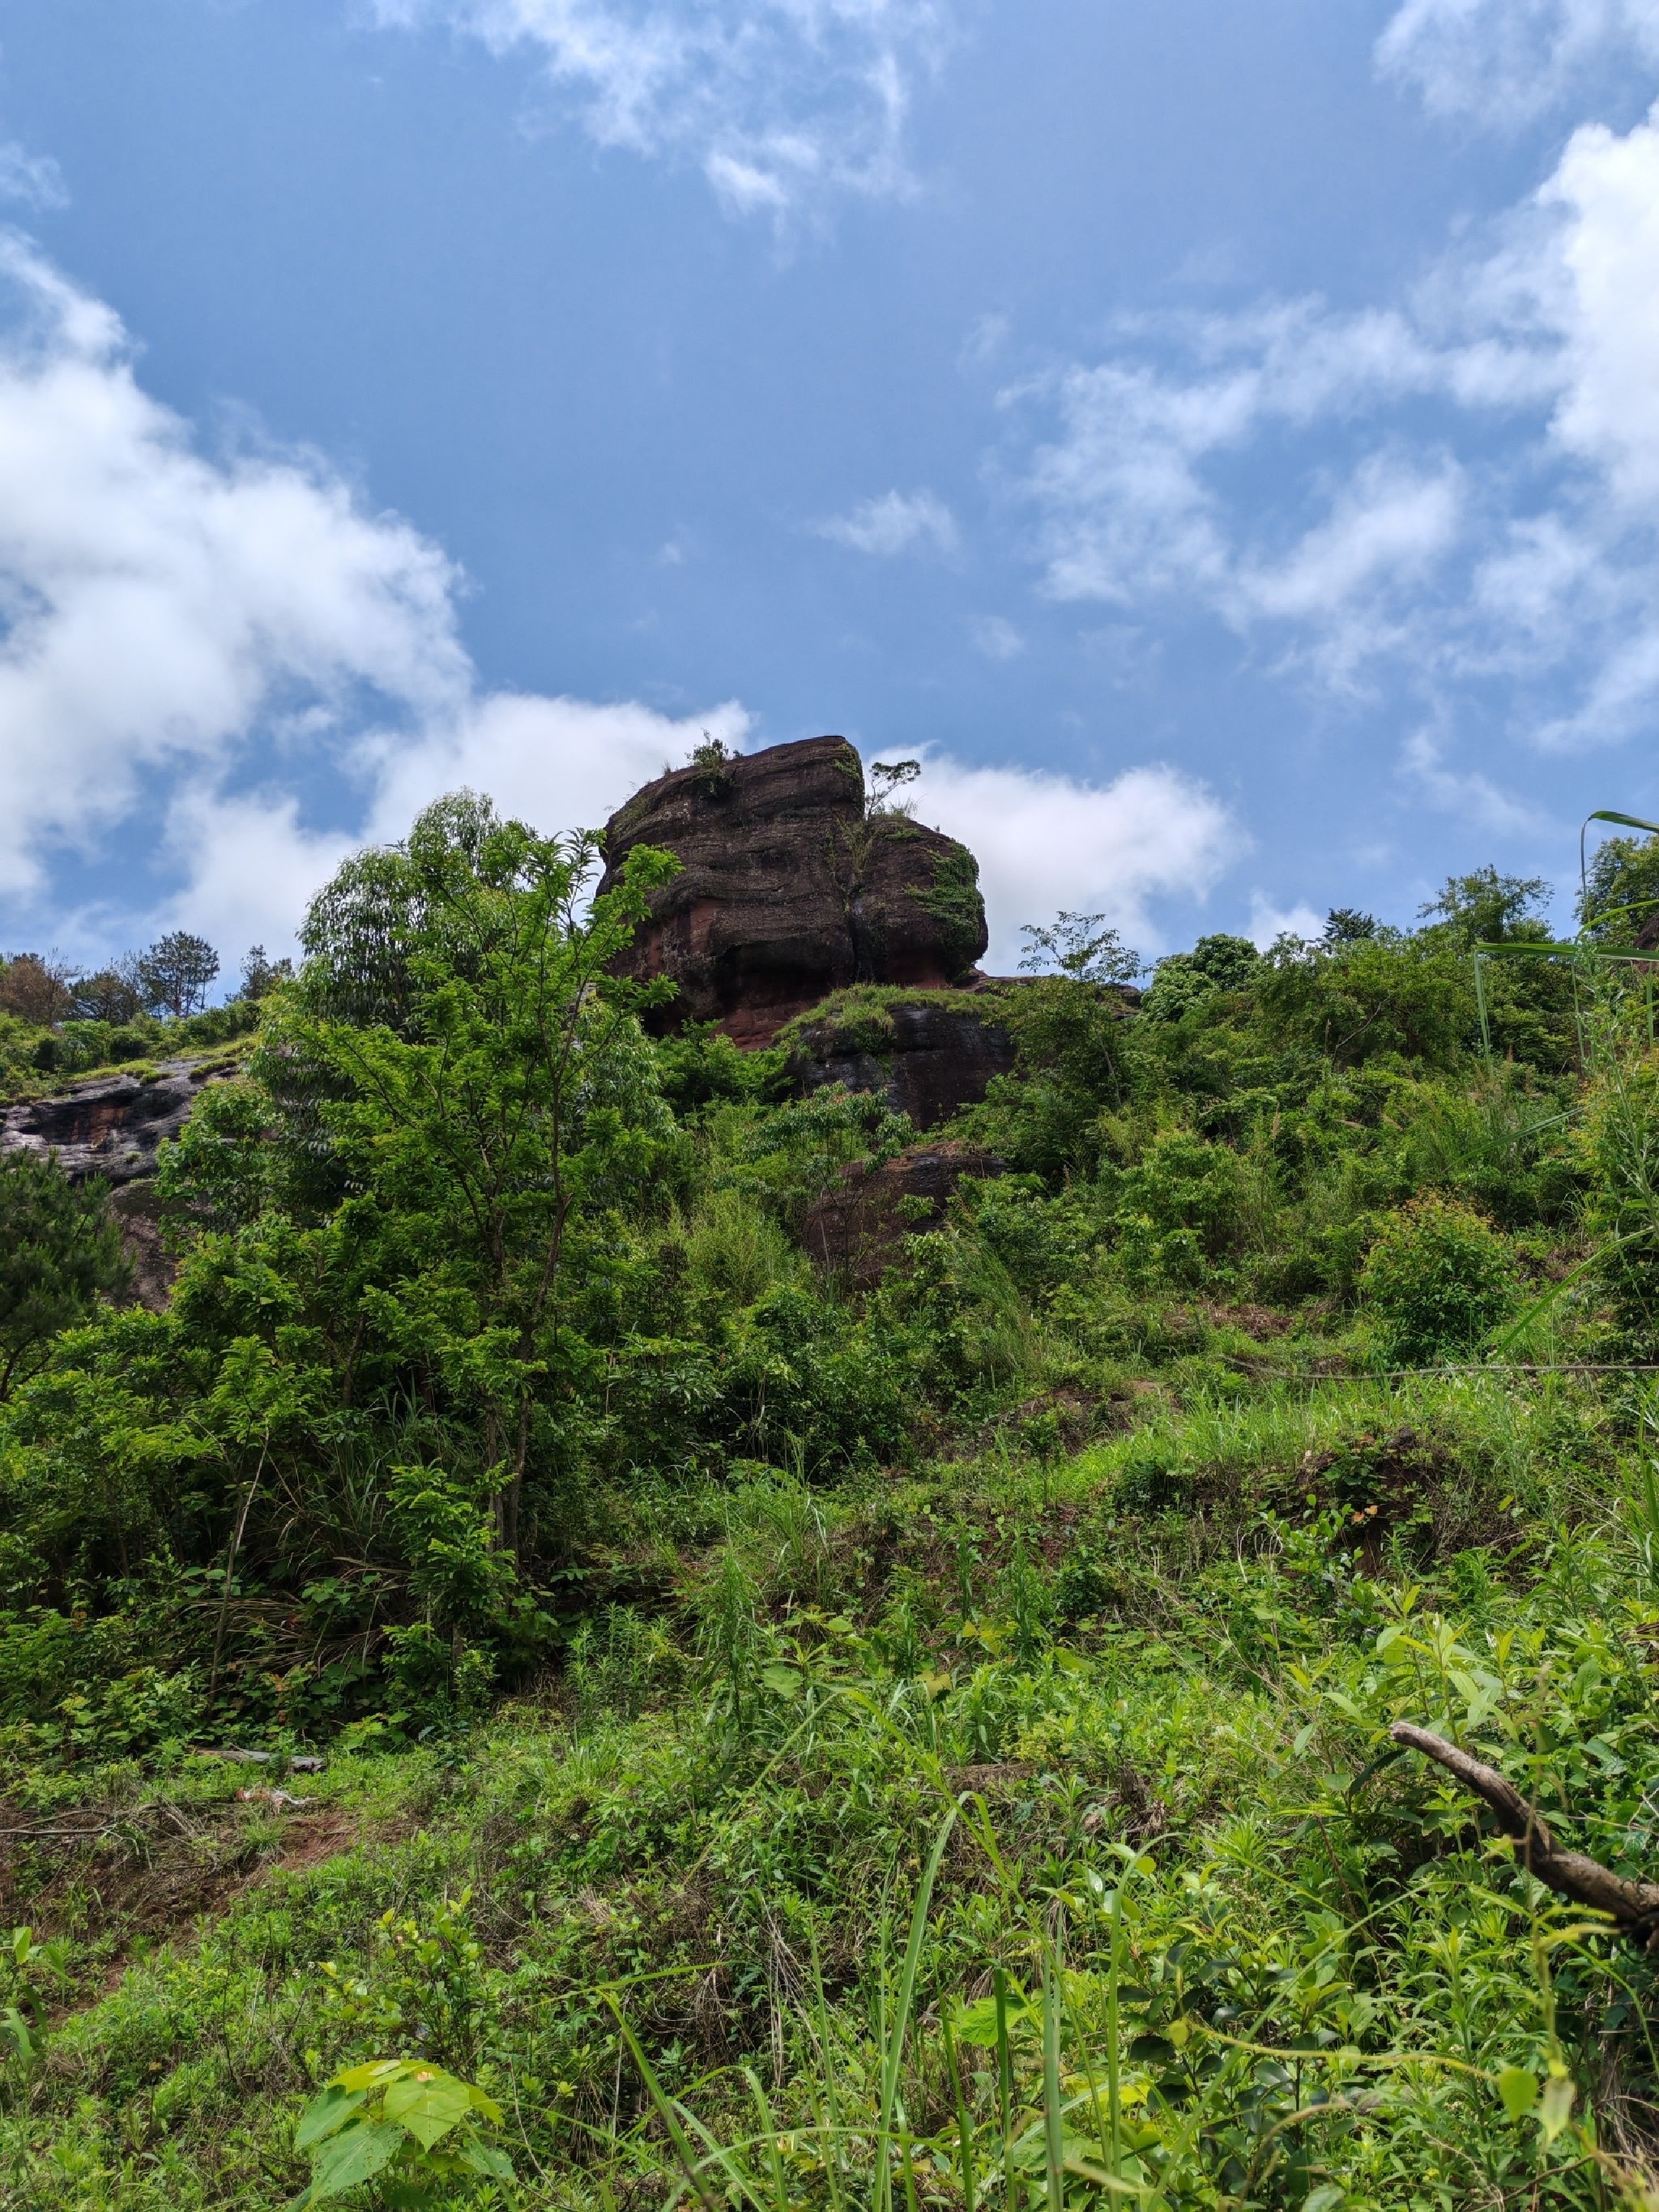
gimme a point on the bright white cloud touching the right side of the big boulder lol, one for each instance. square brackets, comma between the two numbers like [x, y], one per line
[1050, 842]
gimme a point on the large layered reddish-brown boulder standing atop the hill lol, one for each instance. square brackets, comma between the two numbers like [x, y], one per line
[791, 888]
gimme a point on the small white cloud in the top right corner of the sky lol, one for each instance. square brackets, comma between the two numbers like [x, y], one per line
[1510, 61]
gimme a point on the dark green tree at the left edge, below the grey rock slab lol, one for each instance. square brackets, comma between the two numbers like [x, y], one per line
[61, 1253]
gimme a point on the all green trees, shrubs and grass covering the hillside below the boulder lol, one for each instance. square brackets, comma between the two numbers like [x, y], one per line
[791, 1744]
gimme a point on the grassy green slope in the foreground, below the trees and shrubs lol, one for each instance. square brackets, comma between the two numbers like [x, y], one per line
[1019, 1835]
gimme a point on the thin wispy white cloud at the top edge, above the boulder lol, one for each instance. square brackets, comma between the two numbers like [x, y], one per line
[780, 103]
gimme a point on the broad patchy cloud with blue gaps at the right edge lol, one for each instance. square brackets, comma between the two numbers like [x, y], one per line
[1331, 483]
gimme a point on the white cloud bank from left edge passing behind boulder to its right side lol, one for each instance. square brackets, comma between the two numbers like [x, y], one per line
[196, 643]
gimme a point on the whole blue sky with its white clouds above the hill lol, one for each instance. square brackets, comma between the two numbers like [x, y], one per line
[1222, 441]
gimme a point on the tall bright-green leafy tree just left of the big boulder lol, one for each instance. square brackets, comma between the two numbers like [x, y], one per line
[457, 1107]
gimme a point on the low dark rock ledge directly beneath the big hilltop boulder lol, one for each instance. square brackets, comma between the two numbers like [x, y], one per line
[928, 1058]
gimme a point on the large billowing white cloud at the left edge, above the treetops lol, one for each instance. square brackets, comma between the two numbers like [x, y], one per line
[158, 607]
